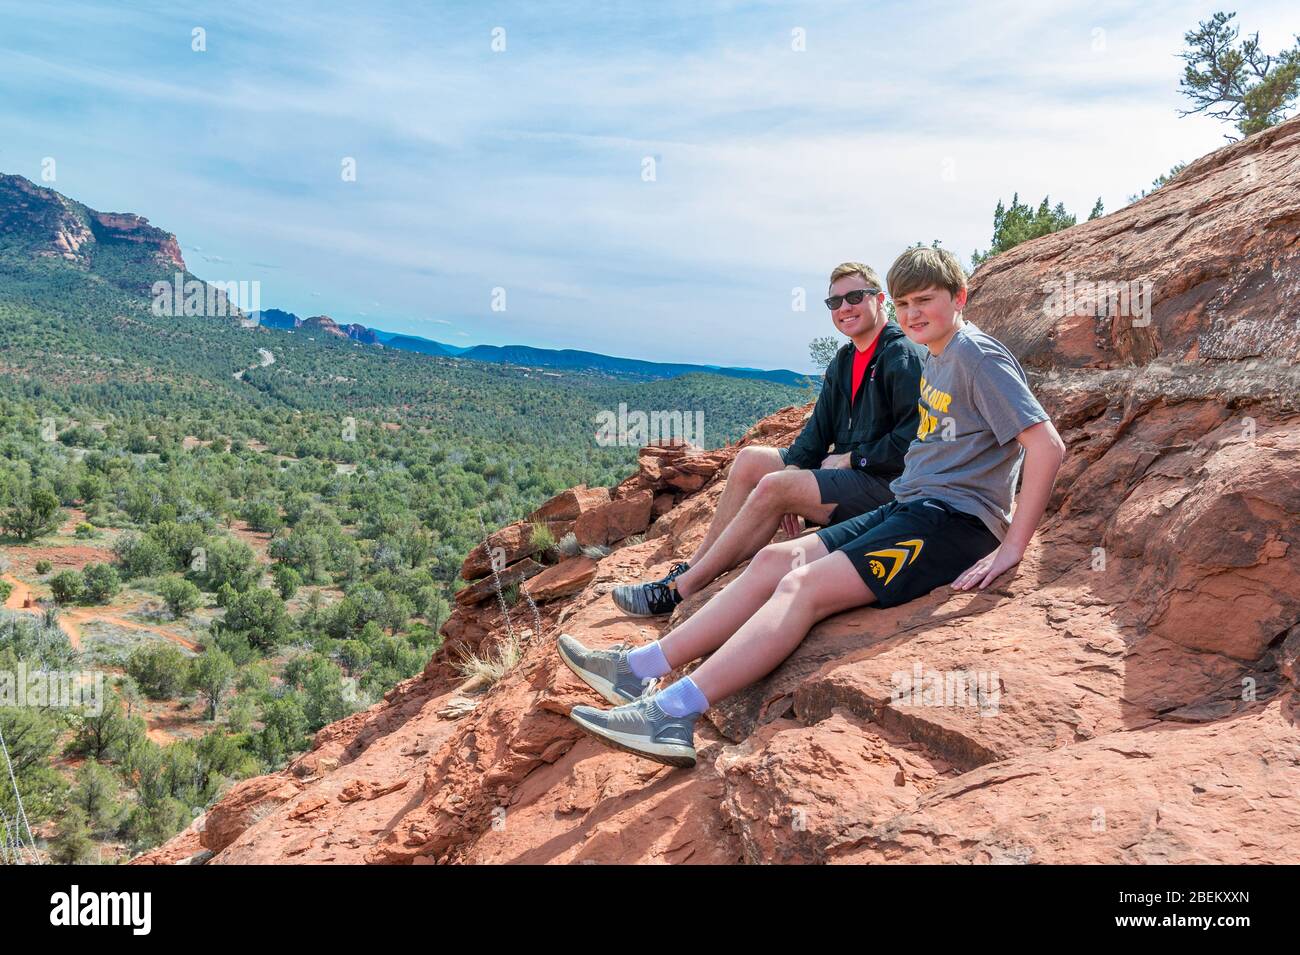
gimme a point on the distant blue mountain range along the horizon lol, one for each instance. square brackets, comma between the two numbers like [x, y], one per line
[565, 359]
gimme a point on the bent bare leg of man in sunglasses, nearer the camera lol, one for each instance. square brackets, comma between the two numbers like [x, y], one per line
[787, 492]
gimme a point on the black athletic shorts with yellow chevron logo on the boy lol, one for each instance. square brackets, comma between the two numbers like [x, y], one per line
[904, 552]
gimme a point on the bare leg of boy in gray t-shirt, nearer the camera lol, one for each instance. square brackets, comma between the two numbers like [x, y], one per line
[803, 598]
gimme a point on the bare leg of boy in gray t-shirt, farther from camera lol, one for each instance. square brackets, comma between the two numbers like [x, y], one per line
[722, 617]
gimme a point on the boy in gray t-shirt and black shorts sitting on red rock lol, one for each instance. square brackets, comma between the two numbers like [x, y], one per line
[951, 523]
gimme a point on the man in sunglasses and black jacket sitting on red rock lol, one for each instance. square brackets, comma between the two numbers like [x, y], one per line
[866, 415]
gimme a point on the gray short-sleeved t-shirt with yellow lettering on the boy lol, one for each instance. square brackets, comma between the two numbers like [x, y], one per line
[974, 402]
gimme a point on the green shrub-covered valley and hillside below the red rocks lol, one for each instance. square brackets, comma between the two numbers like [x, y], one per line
[304, 524]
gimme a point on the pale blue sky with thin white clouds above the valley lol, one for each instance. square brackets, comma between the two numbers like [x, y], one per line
[523, 170]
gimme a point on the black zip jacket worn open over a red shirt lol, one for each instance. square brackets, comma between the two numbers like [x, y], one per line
[877, 429]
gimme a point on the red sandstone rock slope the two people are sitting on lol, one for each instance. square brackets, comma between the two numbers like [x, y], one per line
[1137, 675]
